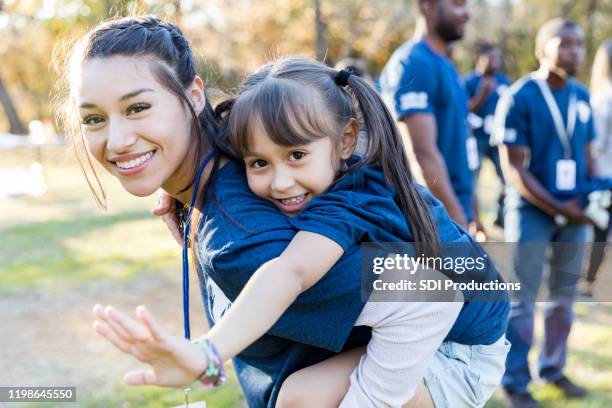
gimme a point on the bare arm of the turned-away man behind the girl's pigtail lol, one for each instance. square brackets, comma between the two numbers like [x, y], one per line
[423, 133]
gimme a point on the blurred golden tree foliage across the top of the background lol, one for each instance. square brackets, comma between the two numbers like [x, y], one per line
[233, 37]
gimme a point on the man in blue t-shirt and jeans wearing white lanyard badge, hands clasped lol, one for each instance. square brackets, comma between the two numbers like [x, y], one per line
[545, 124]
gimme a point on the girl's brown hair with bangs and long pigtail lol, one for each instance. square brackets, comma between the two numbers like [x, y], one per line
[298, 100]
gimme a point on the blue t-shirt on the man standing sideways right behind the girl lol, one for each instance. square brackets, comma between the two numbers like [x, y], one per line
[419, 80]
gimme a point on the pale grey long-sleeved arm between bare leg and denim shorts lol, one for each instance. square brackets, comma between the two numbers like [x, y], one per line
[405, 336]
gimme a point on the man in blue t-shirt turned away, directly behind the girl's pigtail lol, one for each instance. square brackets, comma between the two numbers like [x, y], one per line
[423, 90]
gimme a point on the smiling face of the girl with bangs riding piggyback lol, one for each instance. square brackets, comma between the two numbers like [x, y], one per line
[289, 176]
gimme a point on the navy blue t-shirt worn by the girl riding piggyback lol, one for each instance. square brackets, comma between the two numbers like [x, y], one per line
[361, 207]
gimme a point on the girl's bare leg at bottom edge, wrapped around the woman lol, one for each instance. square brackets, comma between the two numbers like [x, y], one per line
[323, 385]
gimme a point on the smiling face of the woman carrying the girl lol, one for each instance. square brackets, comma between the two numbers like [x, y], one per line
[135, 128]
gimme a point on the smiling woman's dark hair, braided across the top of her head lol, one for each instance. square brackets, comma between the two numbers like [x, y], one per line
[171, 62]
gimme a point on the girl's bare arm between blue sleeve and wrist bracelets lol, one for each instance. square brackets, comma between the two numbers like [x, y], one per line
[272, 289]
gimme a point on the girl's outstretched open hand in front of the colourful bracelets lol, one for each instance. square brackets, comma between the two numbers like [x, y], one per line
[174, 361]
